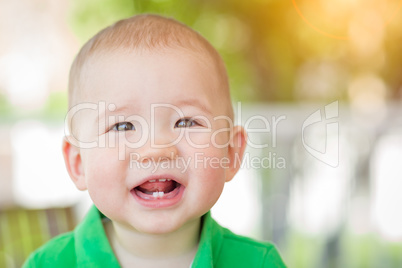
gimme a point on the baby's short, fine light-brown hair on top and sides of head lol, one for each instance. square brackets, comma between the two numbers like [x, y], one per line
[144, 32]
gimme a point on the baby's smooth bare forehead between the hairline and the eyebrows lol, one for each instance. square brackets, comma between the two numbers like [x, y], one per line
[173, 77]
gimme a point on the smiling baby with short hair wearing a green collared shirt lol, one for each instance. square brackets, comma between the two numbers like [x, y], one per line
[152, 140]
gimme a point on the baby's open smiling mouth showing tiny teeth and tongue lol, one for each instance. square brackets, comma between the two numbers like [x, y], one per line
[158, 189]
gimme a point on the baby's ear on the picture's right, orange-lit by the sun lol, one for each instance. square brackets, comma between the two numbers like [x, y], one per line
[236, 149]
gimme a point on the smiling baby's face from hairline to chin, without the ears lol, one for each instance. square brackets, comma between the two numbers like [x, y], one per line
[161, 134]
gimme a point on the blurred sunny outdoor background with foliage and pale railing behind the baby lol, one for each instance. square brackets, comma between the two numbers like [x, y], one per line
[318, 85]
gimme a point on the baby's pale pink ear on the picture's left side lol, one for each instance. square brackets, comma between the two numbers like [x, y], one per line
[72, 159]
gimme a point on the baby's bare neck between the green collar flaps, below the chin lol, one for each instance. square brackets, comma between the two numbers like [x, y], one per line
[132, 248]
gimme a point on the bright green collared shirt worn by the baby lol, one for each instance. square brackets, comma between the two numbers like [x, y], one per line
[88, 246]
